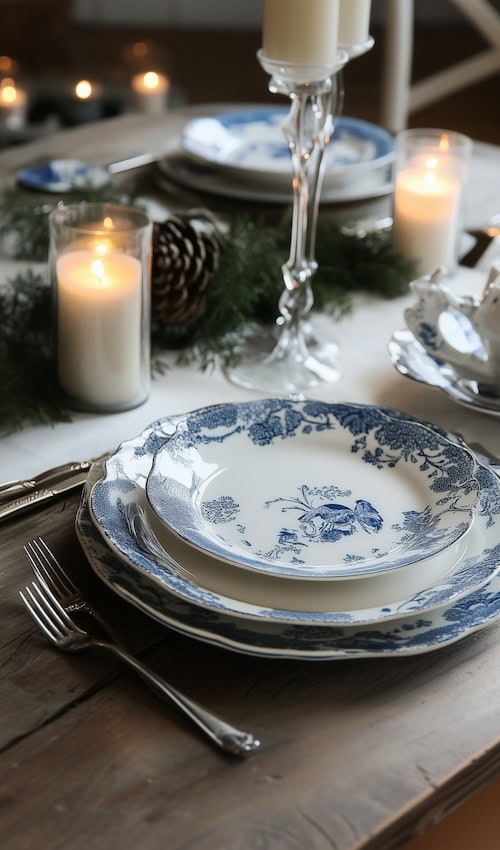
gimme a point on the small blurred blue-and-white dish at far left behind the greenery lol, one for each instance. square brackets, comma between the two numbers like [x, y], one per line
[63, 175]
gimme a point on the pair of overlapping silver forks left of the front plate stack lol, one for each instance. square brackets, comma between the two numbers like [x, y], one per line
[55, 604]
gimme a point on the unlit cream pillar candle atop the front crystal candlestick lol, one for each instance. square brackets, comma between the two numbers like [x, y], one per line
[301, 32]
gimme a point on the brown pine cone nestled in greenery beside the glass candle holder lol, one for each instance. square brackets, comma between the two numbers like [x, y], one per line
[184, 262]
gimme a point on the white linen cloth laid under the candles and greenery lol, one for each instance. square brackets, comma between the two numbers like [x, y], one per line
[368, 375]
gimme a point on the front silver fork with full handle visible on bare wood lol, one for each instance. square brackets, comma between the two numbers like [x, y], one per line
[61, 629]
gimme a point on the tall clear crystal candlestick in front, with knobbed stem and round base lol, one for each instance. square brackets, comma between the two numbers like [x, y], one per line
[296, 362]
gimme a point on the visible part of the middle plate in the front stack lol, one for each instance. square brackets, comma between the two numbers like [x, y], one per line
[258, 597]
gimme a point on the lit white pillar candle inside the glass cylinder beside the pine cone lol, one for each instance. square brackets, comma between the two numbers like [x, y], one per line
[99, 326]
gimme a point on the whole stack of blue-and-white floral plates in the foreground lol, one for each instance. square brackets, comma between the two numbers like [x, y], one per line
[299, 529]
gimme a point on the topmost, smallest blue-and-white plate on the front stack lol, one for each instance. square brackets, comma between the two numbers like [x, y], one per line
[310, 490]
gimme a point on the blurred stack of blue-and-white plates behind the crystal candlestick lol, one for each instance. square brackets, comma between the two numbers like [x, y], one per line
[243, 153]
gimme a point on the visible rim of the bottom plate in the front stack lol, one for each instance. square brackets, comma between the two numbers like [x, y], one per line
[409, 635]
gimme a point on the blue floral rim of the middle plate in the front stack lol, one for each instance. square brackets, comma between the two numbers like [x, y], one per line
[113, 550]
